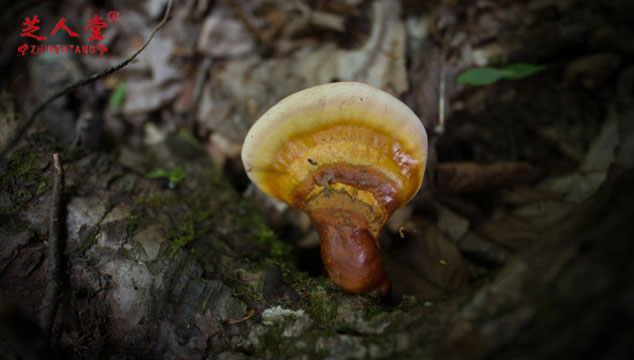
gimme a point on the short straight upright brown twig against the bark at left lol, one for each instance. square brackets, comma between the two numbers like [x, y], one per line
[48, 306]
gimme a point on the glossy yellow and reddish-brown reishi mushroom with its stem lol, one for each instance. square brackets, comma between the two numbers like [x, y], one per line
[348, 155]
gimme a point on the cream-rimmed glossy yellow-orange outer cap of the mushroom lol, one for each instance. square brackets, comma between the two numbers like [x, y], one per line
[347, 123]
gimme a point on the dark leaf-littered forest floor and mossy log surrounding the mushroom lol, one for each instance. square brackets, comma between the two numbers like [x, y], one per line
[518, 244]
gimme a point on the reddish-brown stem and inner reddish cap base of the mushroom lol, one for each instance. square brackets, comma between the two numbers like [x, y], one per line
[349, 223]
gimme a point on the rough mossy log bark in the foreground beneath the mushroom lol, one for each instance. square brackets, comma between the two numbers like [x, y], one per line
[178, 271]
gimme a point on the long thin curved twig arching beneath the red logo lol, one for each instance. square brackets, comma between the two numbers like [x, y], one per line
[26, 124]
